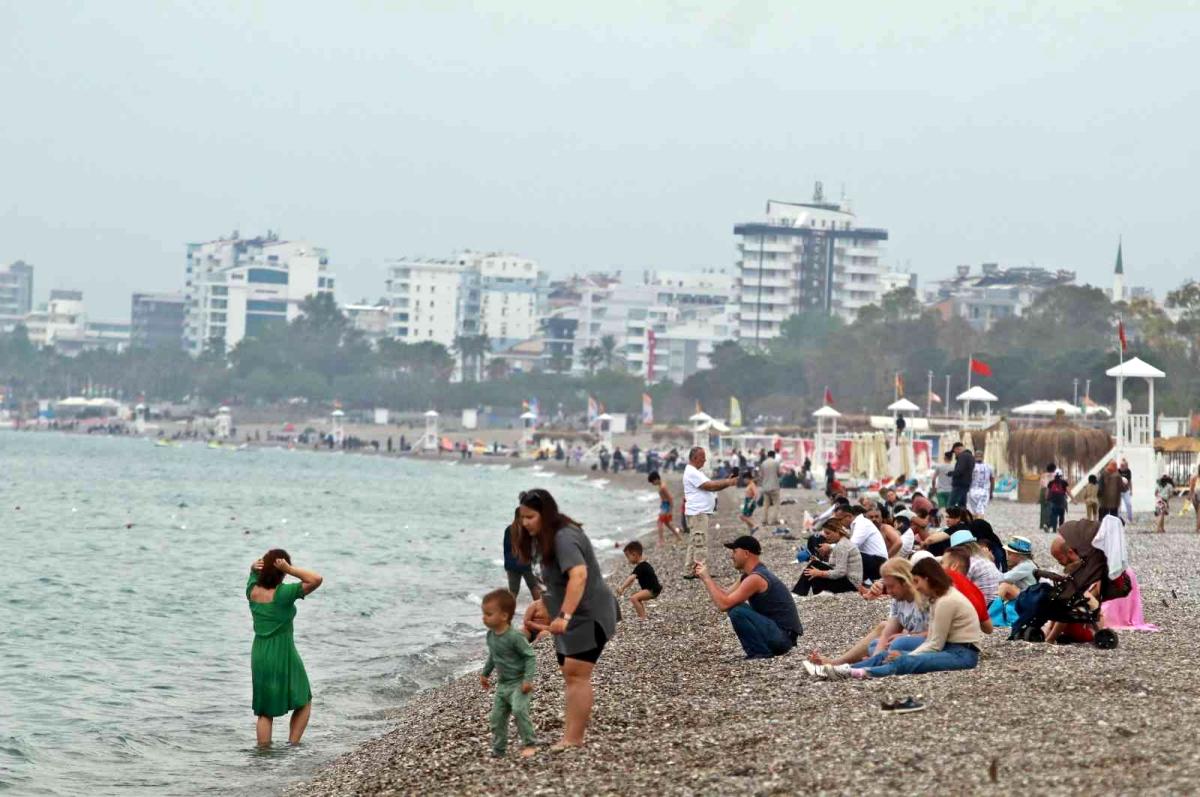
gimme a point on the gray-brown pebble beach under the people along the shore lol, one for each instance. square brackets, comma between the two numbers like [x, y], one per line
[680, 711]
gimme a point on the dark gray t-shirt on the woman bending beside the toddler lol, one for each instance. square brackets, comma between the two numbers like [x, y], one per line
[598, 607]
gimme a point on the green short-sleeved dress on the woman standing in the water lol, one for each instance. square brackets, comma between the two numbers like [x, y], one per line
[281, 685]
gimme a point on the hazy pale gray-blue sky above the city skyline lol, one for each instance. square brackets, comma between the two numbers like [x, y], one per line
[608, 136]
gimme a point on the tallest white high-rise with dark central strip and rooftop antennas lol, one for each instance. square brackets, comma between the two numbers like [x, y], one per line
[806, 256]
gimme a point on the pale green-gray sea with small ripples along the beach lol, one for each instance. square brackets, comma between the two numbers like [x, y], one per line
[124, 630]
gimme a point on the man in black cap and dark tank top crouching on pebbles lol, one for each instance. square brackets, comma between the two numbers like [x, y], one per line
[761, 608]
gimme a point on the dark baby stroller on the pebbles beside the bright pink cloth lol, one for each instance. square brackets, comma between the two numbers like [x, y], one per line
[1066, 600]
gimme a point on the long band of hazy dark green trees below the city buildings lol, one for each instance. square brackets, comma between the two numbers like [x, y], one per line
[1069, 333]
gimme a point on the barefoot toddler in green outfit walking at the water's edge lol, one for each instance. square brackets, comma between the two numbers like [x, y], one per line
[509, 652]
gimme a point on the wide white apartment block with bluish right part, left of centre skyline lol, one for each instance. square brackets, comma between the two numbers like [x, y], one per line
[471, 293]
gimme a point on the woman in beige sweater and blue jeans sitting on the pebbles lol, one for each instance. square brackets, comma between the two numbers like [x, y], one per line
[952, 643]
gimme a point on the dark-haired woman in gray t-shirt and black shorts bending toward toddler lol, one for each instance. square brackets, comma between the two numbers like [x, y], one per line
[583, 608]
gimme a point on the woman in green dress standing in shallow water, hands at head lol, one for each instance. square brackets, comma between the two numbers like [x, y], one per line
[281, 685]
